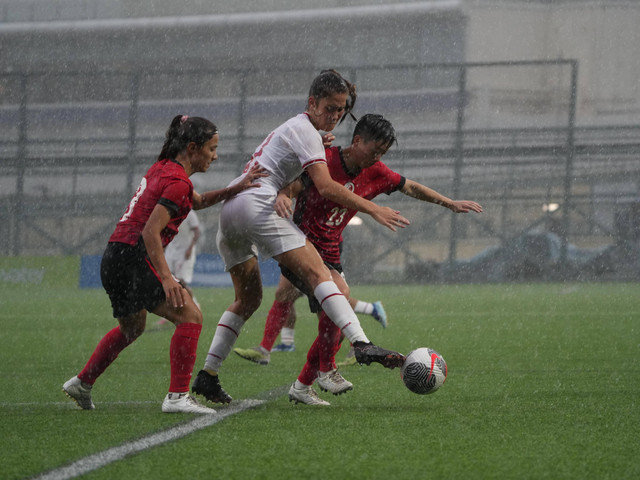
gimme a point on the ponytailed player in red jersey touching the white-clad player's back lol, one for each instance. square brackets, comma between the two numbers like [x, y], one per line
[134, 271]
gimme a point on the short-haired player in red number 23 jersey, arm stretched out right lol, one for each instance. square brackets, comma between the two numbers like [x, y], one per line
[357, 167]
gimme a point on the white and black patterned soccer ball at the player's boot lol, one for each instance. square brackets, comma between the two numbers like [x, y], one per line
[424, 371]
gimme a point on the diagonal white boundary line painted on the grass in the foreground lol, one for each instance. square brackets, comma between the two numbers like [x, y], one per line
[101, 459]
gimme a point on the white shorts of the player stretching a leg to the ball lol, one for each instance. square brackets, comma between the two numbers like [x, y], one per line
[249, 224]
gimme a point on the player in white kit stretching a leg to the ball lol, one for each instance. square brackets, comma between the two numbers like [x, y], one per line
[249, 223]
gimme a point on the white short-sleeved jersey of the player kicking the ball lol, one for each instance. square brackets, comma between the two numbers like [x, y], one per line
[285, 153]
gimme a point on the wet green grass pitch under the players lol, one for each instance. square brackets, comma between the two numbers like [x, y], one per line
[543, 382]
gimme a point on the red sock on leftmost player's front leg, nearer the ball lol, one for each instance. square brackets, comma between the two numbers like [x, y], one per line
[182, 353]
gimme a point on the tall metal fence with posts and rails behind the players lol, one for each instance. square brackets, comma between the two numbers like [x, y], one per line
[560, 198]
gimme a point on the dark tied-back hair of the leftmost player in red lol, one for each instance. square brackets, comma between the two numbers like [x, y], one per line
[184, 130]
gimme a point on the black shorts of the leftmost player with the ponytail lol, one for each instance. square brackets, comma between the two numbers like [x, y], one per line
[129, 279]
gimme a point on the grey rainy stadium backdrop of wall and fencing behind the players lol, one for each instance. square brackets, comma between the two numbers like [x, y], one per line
[531, 108]
